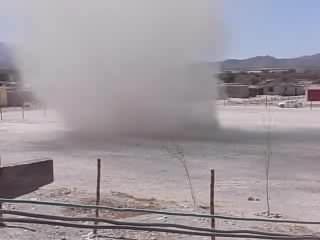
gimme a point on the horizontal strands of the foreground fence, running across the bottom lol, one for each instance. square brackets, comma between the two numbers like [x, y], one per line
[73, 222]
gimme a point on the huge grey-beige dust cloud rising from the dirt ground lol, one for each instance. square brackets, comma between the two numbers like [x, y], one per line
[120, 67]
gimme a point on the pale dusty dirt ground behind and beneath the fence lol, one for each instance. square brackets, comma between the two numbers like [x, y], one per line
[148, 169]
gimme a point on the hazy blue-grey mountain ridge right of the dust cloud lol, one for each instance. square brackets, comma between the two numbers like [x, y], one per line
[305, 62]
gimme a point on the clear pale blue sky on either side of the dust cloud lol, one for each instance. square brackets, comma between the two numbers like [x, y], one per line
[282, 28]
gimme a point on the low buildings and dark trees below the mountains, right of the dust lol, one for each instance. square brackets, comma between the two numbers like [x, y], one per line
[268, 81]
